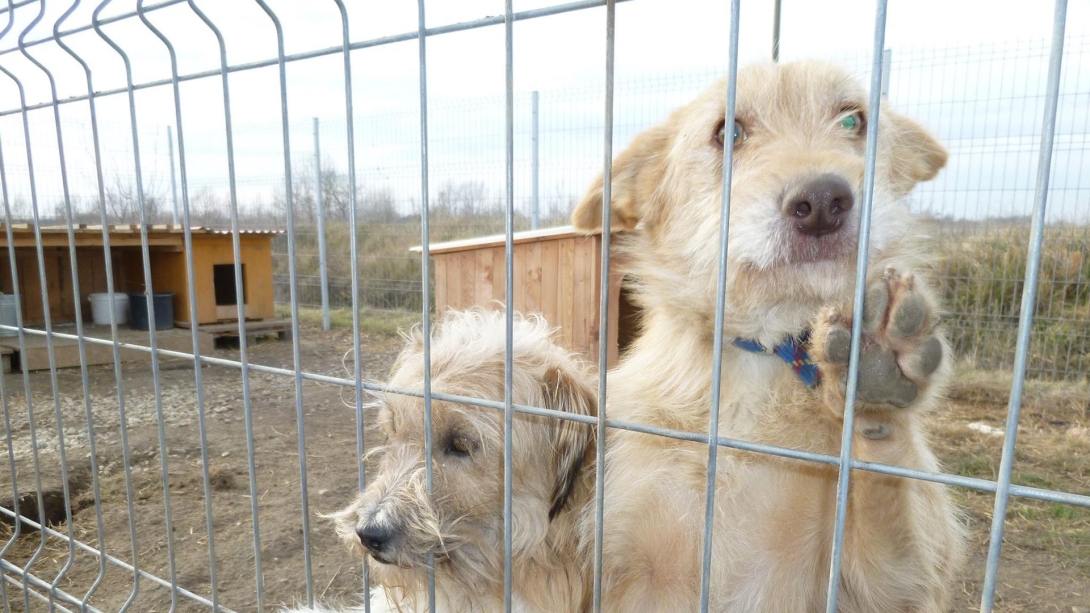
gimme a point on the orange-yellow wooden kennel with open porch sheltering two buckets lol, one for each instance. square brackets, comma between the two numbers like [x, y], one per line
[213, 275]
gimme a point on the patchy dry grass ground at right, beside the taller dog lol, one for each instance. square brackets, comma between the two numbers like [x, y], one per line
[1046, 564]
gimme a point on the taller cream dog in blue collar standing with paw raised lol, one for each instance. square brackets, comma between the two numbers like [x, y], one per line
[798, 172]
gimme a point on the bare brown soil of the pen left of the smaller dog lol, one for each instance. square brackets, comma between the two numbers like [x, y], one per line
[332, 475]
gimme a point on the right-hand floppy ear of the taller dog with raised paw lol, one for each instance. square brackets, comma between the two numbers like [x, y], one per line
[915, 155]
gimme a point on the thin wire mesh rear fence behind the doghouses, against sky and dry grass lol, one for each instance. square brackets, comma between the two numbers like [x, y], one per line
[982, 101]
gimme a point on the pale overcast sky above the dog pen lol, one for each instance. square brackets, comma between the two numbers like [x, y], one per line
[980, 92]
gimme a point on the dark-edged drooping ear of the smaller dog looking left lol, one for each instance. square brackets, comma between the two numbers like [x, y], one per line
[567, 391]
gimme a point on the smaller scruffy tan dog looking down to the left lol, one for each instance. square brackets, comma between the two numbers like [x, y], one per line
[396, 523]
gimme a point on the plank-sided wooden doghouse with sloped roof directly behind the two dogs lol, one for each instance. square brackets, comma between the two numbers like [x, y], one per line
[558, 273]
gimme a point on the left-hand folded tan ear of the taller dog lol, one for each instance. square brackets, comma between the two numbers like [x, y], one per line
[637, 172]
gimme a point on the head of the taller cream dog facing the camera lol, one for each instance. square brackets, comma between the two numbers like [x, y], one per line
[796, 190]
